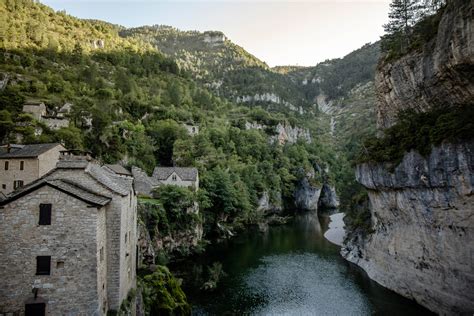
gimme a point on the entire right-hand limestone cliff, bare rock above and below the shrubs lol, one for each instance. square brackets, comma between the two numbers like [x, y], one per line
[422, 240]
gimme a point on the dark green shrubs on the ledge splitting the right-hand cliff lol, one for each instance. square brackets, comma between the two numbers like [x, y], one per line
[420, 131]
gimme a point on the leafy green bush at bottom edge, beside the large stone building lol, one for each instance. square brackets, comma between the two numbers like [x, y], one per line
[162, 294]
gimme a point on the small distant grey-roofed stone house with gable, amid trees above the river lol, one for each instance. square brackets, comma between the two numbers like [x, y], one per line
[183, 177]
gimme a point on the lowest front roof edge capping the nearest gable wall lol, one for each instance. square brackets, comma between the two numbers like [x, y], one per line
[62, 185]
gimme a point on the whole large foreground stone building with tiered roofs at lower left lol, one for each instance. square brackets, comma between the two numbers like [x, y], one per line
[68, 242]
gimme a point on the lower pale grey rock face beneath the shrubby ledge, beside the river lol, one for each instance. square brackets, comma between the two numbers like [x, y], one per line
[423, 219]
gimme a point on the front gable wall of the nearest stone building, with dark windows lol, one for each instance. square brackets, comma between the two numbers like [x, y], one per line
[71, 289]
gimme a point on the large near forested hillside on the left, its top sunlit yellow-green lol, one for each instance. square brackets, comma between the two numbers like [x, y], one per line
[130, 104]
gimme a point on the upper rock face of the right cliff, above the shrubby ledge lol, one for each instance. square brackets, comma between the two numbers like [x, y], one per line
[439, 75]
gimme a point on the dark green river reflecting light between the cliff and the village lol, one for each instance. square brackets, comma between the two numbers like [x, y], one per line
[290, 270]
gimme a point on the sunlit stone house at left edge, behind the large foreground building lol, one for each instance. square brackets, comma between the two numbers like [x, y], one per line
[22, 164]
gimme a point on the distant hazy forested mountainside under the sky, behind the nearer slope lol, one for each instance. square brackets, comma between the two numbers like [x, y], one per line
[226, 68]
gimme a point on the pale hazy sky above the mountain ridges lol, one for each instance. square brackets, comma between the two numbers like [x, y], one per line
[280, 32]
